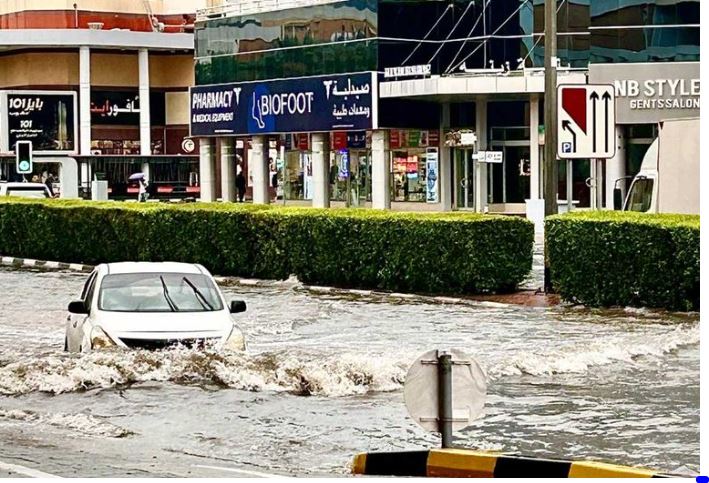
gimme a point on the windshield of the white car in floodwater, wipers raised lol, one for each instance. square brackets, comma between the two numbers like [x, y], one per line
[158, 292]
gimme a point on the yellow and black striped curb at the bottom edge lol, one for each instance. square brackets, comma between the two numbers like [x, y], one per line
[451, 463]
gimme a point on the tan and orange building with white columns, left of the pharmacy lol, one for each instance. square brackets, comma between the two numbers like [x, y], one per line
[102, 90]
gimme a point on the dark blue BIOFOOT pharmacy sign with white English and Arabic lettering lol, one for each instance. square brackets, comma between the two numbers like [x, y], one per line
[309, 104]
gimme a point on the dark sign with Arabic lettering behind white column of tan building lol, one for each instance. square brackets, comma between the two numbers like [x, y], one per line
[122, 108]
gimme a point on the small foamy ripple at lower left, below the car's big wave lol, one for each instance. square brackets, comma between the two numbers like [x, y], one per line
[82, 423]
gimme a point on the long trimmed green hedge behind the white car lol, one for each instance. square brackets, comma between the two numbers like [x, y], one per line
[426, 253]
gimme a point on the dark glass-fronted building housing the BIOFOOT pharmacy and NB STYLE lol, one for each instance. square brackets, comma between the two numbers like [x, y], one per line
[448, 80]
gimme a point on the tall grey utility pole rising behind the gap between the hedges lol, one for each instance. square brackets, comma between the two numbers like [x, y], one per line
[551, 167]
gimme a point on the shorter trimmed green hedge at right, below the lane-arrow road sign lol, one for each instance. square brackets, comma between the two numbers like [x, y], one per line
[610, 258]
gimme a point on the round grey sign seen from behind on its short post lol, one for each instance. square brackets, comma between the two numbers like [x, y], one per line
[444, 392]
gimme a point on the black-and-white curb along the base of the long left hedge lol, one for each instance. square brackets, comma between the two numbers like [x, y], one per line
[250, 282]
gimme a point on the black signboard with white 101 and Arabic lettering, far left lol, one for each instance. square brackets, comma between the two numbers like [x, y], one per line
[46, 119]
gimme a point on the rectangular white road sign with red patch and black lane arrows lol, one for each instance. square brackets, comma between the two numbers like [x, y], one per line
[586, 121]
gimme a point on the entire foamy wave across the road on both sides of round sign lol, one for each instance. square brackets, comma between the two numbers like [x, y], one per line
[311, 372]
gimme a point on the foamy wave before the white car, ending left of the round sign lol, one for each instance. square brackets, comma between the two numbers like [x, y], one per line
[297, 372]
